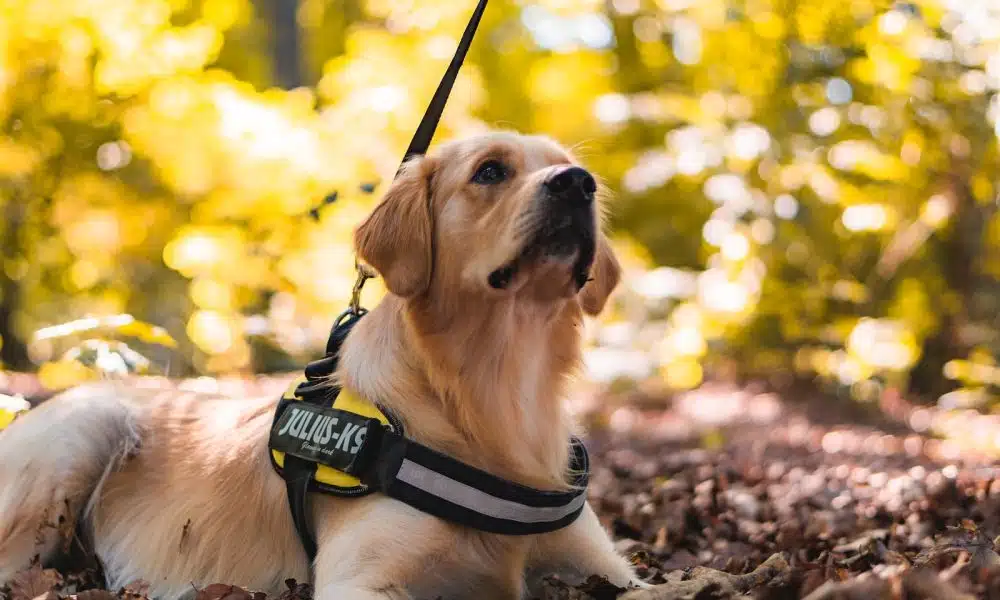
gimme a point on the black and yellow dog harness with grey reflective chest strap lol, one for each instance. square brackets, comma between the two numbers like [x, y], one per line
[328, 439]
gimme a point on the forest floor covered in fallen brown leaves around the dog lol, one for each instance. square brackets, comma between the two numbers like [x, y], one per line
[724, 492]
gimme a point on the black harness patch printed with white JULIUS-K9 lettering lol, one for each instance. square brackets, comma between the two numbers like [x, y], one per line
[324, 435]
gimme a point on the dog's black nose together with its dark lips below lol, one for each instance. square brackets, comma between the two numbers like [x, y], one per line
[566, 228]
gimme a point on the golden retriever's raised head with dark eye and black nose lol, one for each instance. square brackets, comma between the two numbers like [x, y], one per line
[498, 216]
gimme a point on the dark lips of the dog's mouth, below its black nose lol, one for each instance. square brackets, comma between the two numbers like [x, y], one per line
[559, 238]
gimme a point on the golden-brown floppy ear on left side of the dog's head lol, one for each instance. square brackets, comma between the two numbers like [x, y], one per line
[395, 239]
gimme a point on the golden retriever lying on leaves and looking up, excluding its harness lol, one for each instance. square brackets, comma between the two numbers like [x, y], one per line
[492, 253]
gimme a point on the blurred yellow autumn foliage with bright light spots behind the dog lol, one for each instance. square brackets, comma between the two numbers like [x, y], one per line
[803, 190]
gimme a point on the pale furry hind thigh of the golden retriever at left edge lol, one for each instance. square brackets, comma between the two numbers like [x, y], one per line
[53, 462]
